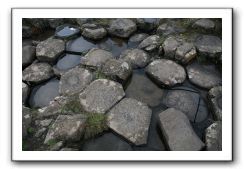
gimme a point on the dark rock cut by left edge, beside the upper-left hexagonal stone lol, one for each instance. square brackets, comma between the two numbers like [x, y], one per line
[28, 55]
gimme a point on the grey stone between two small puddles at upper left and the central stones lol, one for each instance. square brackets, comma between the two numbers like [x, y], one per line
[95, 58]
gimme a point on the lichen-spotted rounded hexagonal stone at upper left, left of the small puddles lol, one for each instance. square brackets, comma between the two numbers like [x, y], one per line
[50, 49]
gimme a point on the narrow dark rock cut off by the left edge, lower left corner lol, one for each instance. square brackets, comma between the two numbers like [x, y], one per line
[26, 120]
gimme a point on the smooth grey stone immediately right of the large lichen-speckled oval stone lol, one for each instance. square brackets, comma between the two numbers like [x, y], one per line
[205, 76]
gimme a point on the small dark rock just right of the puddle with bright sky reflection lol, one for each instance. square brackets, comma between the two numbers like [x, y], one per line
[94, 34]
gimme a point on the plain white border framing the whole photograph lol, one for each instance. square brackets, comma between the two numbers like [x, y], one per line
[19, 155]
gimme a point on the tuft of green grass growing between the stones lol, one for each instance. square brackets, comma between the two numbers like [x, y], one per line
[96, 123]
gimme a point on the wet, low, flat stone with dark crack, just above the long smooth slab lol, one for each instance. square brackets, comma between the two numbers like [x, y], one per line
[187, 102]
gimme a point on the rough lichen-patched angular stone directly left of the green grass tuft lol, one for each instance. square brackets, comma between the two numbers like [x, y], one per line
[66, 128]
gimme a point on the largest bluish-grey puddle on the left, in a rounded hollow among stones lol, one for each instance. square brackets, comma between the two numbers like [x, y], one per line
[42, 94]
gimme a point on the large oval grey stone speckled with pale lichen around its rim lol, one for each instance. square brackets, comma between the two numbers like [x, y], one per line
[166, 72]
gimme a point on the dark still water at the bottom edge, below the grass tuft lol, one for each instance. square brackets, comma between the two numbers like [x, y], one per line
[107, 142]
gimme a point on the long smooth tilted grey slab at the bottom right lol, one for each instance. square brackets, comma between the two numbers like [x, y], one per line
[178, 132]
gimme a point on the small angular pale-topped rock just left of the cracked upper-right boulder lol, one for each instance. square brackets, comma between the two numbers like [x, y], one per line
[150, 43]
